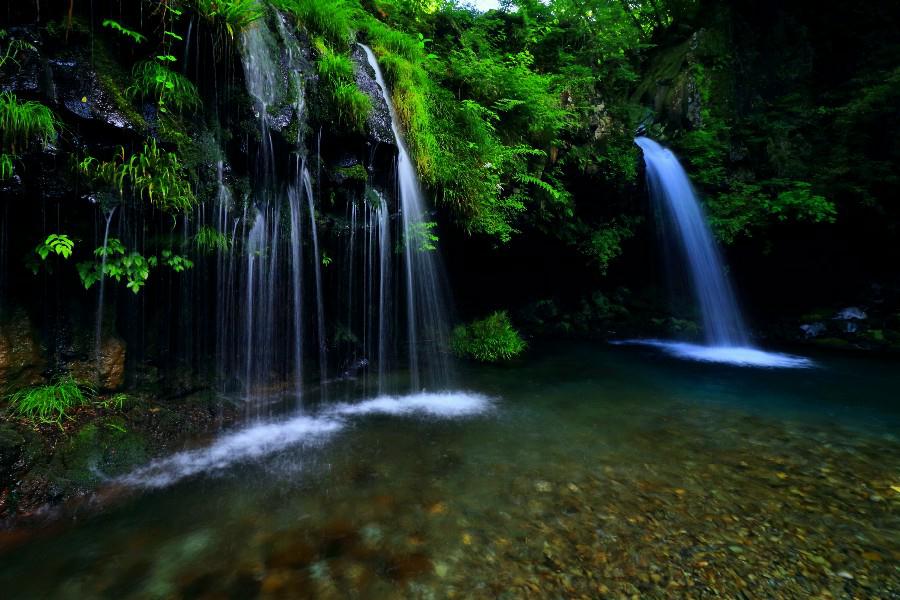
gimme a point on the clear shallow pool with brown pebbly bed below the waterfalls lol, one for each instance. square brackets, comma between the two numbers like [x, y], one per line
[594, 471]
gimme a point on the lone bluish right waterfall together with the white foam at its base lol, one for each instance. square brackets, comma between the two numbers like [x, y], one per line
[726, 334]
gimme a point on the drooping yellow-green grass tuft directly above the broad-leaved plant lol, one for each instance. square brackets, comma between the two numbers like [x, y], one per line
[154, 174]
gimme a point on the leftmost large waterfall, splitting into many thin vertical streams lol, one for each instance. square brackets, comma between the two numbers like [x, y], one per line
[260, 281]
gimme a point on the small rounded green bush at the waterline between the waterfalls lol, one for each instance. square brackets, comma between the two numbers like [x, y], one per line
[492, 339]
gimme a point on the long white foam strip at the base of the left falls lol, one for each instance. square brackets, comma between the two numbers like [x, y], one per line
[264, 439]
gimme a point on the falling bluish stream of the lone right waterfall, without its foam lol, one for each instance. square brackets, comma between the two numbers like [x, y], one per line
[672, 192]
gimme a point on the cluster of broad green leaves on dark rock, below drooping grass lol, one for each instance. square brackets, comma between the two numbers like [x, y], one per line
[115, 262]
